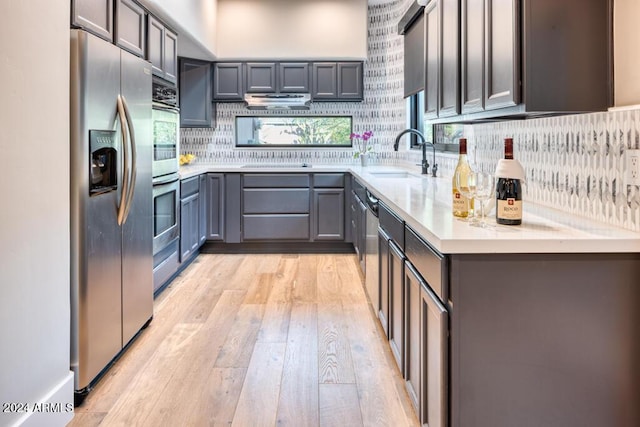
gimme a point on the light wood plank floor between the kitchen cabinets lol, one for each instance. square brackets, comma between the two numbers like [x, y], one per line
[256, 340]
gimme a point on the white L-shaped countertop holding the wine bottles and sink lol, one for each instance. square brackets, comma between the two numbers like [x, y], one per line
[425, 204]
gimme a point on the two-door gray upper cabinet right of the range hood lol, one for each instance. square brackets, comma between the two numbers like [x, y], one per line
[337, 81]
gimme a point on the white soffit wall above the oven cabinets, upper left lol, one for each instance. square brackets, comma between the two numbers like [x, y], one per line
[195, 22]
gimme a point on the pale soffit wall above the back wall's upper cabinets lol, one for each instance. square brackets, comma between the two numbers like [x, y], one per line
[292, 29]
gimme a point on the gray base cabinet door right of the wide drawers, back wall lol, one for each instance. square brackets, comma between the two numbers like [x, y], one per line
[328, 214]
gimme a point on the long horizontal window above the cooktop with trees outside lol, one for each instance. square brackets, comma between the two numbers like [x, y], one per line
[293, 131]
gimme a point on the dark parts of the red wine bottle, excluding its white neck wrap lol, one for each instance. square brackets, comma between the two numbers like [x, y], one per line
[508, 194]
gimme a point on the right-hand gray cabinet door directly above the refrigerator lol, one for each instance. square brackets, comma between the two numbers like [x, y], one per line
[131, 27]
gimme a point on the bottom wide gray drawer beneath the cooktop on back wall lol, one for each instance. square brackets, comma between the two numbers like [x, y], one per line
[275, 227]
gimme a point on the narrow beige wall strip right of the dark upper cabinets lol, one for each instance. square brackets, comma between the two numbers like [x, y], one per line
[627, 58]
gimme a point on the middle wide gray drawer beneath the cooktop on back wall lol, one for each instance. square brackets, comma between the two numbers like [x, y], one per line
[283, 200]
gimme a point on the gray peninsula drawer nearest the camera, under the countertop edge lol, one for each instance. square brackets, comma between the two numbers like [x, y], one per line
[431, 265]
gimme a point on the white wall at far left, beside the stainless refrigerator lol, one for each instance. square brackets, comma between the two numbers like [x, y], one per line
[34, 212]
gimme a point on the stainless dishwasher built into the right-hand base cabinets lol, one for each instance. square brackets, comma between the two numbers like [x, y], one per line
[371, 251]
